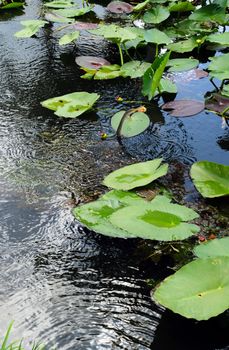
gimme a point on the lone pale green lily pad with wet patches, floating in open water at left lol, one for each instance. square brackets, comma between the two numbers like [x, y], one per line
[71, 105]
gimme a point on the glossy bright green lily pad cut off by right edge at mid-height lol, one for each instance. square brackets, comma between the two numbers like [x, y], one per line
[211, 179]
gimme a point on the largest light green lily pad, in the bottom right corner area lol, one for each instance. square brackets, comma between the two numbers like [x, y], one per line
[198, 290]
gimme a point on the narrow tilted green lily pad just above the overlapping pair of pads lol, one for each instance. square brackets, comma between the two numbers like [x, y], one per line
[135, 175]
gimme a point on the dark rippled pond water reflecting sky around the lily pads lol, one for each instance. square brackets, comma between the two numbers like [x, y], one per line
[61, 284]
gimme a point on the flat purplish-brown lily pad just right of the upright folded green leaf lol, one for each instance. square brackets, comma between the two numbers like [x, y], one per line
[183, 108]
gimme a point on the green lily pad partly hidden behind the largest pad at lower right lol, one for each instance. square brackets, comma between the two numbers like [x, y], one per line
[215, 247]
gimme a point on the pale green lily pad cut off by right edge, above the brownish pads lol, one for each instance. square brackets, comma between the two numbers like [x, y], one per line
[219, 66]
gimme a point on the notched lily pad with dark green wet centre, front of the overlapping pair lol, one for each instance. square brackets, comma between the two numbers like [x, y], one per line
[159, 220]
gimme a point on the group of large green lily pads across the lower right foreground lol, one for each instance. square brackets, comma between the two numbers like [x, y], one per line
[125, 214]
